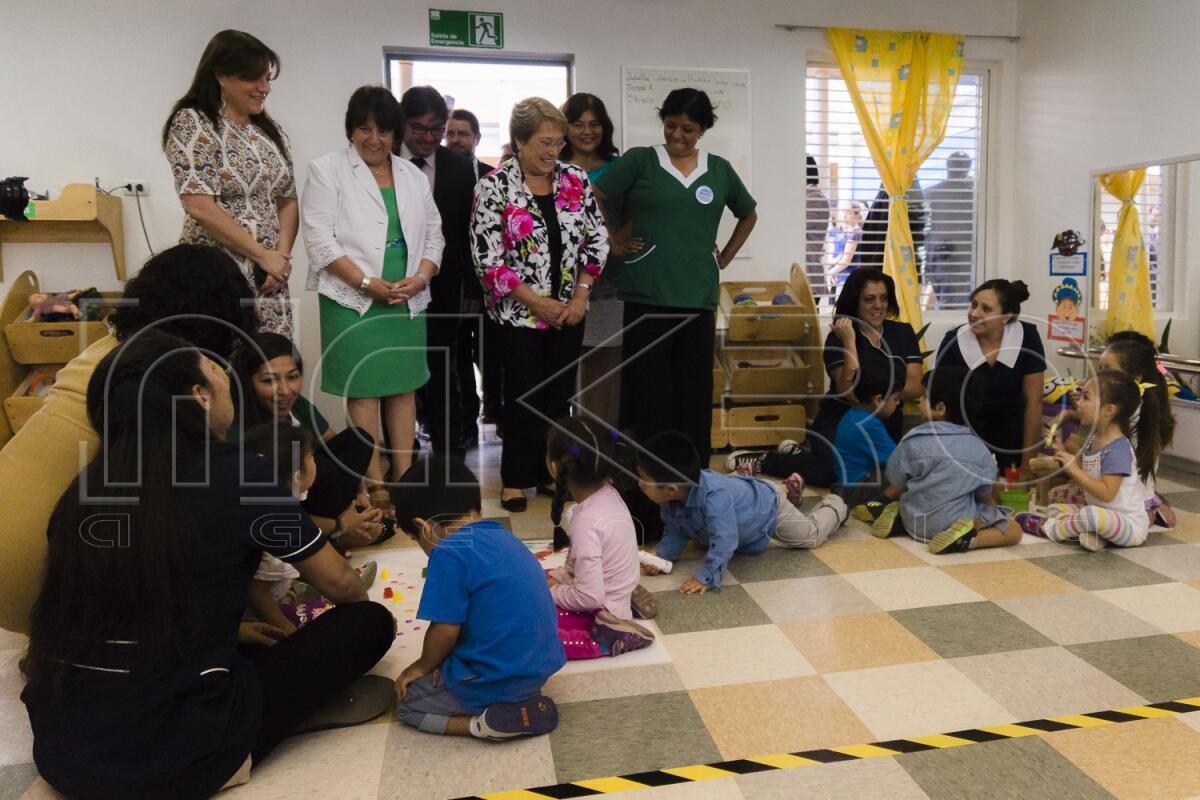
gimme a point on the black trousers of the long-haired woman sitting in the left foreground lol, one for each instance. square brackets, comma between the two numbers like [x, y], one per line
[303, 672]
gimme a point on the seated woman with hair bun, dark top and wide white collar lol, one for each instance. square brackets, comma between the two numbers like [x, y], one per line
[1009, 357]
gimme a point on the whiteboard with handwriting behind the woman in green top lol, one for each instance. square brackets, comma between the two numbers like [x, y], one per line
[643, 92]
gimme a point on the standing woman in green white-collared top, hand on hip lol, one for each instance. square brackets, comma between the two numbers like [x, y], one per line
[675, 195]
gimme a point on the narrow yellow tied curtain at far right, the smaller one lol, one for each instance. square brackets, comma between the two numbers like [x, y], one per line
[1130, 304]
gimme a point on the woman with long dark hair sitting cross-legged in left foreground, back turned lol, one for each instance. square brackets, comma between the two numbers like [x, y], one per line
[141, 679]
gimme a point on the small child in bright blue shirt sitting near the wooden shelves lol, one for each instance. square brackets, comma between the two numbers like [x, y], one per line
[862, 444]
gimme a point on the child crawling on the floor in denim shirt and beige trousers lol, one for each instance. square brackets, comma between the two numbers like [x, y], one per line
[727, 514]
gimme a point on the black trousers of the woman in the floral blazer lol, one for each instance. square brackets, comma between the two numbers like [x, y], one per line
[531, 359]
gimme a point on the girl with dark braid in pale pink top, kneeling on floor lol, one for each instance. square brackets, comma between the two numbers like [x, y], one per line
[595, 591]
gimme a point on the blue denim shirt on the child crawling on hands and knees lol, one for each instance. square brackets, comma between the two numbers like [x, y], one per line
[727, 514]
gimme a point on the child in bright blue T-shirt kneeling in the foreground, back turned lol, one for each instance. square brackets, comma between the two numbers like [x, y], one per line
[493, 641]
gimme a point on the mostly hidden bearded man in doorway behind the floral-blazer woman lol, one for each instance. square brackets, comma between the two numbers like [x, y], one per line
[463, 137]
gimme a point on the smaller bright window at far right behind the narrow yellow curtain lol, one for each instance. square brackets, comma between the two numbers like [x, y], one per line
[1154, 207]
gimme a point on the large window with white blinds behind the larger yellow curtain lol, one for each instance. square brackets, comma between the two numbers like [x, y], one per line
[847, 209]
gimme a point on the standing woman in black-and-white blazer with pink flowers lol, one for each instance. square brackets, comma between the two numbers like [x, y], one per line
[539, 243]
